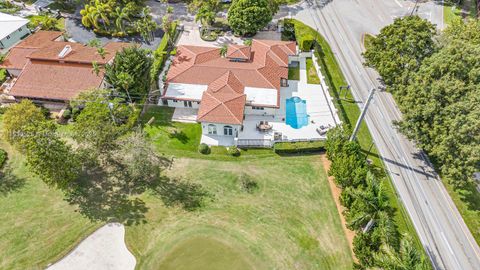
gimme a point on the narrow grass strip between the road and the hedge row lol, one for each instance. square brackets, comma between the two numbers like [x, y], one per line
[349, 113]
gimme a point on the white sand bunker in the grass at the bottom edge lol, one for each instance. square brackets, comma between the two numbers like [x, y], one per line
[105, 249]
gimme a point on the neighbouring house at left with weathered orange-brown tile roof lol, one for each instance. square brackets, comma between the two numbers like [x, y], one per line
[55, 71]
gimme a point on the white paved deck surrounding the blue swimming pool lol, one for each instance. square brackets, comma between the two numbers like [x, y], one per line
[319, 107]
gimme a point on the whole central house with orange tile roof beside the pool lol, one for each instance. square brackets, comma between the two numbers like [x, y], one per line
[223, 89]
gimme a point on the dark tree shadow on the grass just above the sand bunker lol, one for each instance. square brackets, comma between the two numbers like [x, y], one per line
[100, 198]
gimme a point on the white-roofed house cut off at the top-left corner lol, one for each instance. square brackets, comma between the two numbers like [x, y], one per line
[12, 30]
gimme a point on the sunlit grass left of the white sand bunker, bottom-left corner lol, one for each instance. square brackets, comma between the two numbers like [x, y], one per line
[38, 227]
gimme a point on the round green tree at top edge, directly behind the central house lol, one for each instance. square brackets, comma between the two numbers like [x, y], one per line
[246, 17]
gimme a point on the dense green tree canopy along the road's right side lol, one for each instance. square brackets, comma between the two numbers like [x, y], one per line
[437, 86]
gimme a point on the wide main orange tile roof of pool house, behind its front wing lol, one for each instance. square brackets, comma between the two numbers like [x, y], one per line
[203, 65]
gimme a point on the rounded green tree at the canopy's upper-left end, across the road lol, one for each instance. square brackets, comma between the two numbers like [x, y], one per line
[400, 48]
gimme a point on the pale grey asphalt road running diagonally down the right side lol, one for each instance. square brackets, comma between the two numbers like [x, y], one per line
[441, 229]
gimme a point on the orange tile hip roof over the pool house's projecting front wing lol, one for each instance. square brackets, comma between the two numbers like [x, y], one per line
[223, 102]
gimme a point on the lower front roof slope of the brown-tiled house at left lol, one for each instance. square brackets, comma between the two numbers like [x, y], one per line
[53, 80]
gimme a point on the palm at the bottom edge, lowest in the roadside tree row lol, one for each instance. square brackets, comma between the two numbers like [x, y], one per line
[407, 257]
